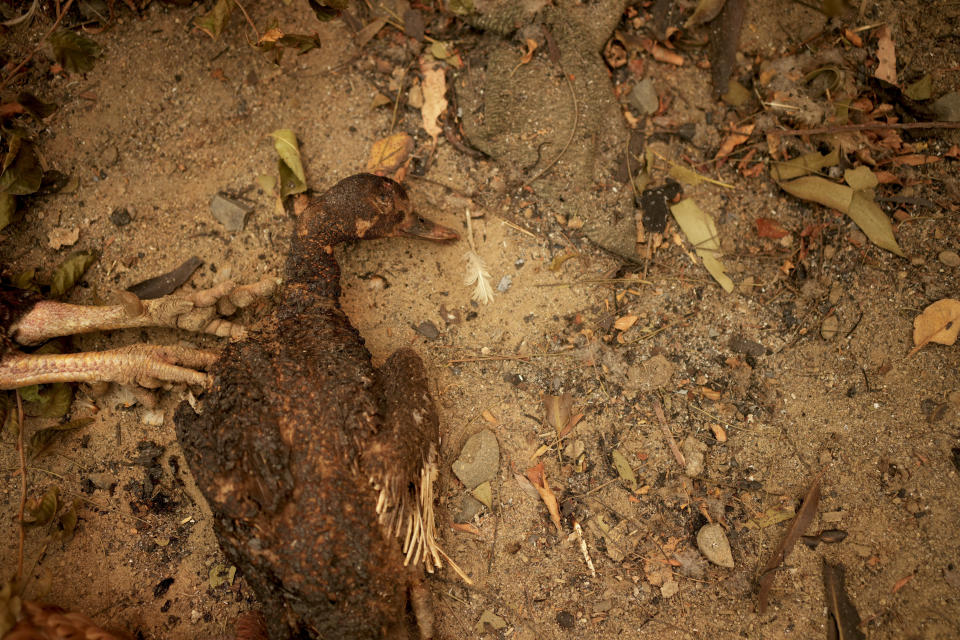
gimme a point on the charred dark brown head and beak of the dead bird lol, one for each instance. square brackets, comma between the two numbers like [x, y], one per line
[370, 206]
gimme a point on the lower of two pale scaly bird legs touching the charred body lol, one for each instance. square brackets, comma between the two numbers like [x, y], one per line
[147, 365]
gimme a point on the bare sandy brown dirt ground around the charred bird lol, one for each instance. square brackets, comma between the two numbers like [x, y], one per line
[168, 117]
